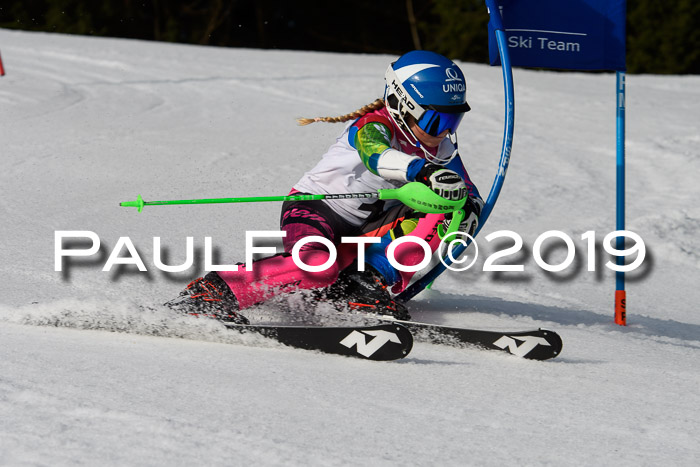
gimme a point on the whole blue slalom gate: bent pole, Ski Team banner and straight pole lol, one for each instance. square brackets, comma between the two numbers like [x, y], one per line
[562, 34]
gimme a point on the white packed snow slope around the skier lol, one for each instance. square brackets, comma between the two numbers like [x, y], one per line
[87, 377]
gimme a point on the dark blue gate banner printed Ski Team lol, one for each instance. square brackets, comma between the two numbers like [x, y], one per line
[563, 34]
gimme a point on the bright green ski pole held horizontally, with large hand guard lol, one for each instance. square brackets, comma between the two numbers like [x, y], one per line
[415, 195]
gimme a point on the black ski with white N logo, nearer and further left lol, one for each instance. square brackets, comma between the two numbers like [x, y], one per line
[390, 341]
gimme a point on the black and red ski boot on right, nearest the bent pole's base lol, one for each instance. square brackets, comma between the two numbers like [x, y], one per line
[366, 291]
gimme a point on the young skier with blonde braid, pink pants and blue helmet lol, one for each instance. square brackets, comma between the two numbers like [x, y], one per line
[410, 135]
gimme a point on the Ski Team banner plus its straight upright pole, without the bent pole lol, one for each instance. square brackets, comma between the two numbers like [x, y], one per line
[572, 35]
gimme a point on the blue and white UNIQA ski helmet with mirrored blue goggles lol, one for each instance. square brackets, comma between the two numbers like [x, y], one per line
[430, 88]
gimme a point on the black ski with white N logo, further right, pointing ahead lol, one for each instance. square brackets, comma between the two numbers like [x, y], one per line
[539, 344]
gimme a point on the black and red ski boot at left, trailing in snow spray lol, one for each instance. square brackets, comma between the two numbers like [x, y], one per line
[209, 296]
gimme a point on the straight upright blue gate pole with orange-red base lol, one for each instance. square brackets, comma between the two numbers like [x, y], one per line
[620, 293]
